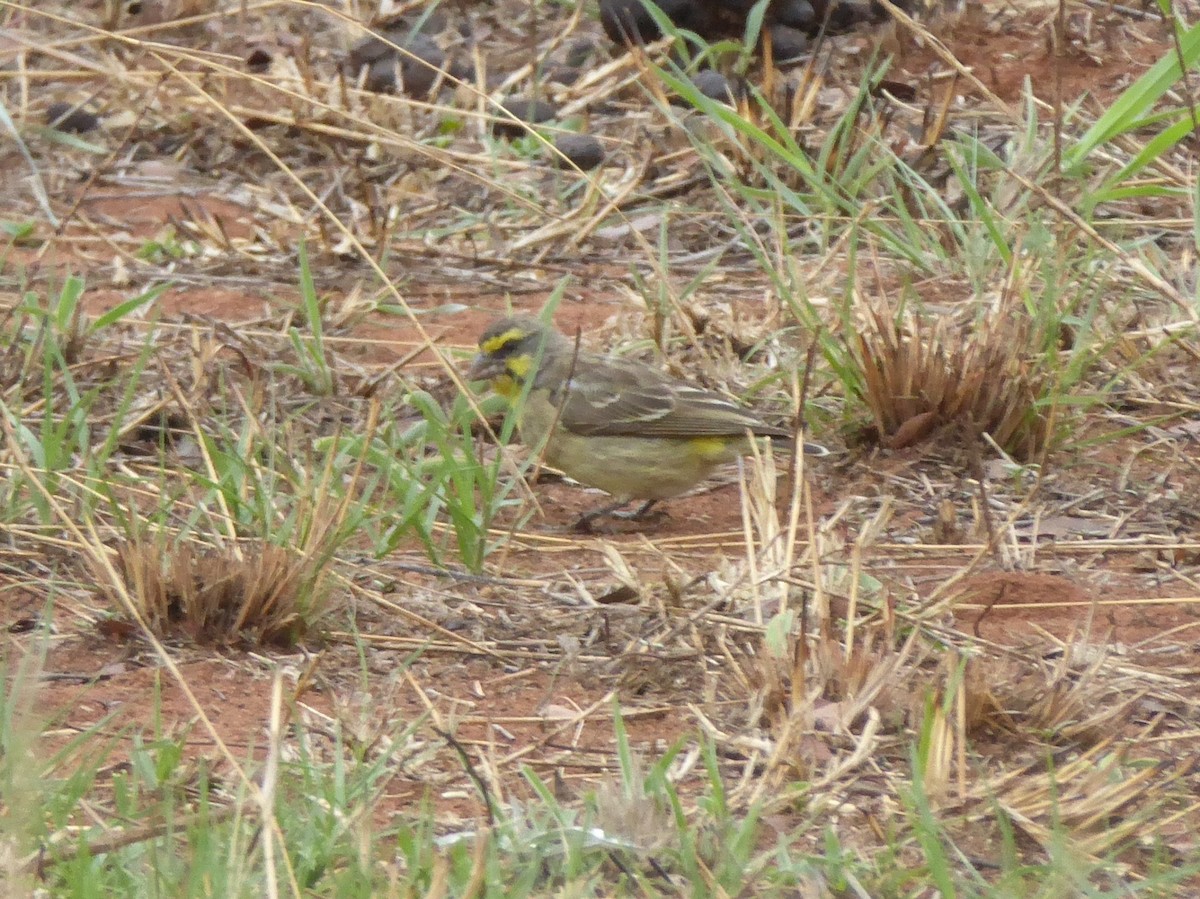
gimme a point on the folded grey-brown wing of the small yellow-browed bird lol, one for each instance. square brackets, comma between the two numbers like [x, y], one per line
[632, 399]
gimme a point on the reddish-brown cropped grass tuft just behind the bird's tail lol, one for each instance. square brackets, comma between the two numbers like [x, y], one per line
[921, 377]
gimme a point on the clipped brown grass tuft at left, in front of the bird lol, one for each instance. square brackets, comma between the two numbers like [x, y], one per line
[263, 594]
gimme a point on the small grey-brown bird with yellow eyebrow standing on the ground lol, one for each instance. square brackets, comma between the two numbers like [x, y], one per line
[611, 423]
